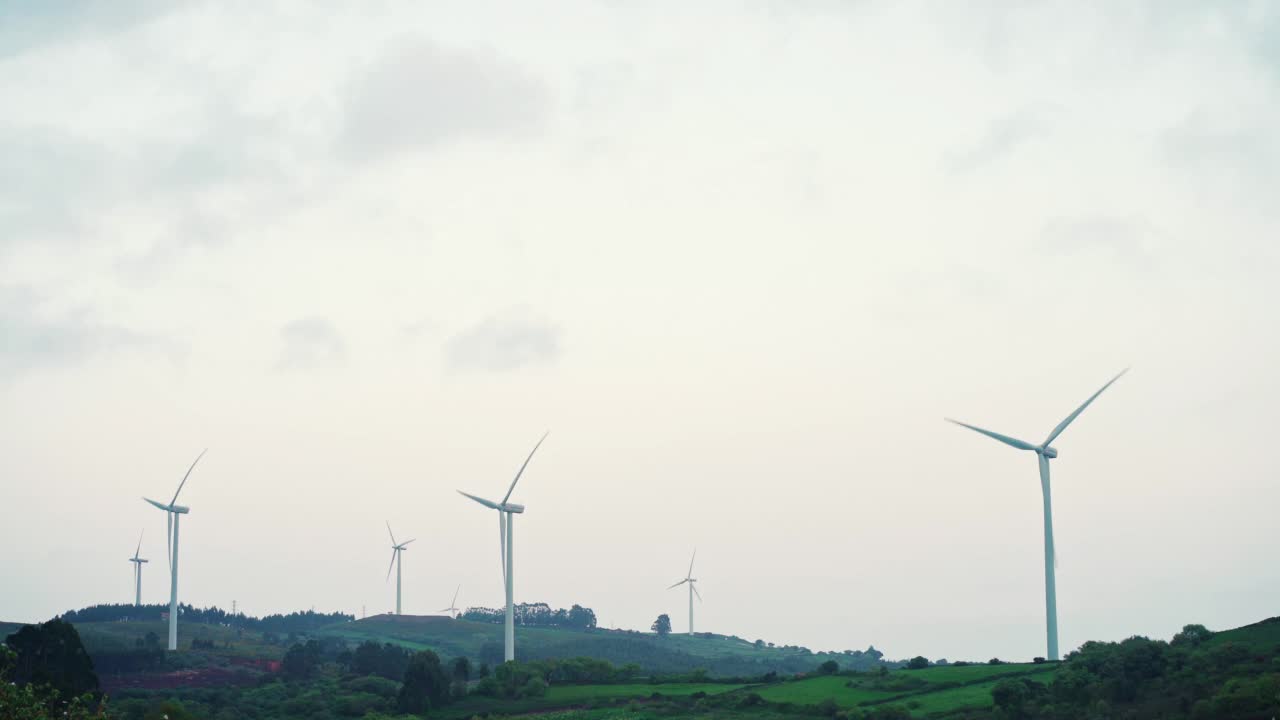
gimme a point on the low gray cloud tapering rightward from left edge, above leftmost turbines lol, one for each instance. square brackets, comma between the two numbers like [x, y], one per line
[36, 339]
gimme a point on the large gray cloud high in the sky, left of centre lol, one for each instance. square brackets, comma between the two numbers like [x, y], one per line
[422, 95]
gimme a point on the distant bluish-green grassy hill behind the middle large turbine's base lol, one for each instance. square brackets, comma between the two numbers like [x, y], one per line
[719, 655]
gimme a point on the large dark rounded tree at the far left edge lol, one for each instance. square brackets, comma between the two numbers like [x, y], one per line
[52, 654]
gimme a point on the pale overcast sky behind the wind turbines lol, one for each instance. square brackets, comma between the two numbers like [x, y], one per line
[739, 258]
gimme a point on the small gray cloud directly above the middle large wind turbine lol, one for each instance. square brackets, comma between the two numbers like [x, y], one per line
[504, 343]
